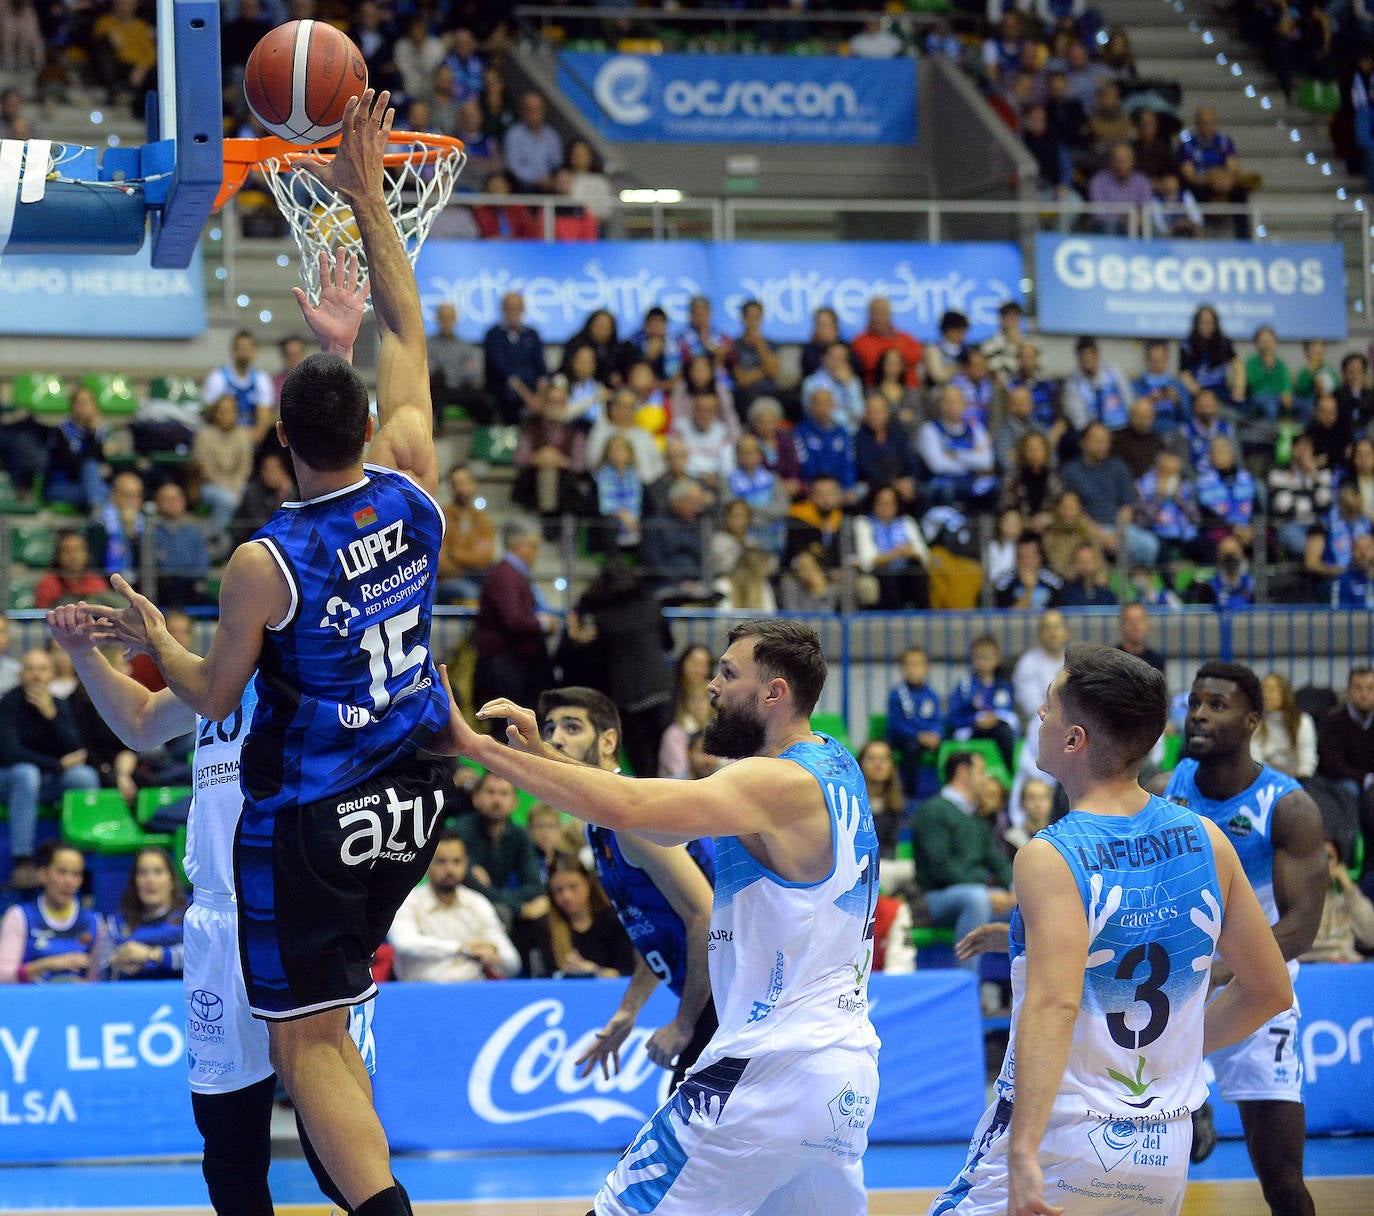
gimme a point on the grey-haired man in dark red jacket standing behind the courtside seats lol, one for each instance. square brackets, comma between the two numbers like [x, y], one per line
[510, 622]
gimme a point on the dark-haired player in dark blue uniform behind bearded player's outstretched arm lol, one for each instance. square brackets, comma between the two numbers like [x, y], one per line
[662, 894]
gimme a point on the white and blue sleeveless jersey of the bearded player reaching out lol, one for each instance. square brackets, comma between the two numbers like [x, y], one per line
[791, 962]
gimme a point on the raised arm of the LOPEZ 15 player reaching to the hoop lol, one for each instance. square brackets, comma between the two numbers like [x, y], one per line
[406, 434]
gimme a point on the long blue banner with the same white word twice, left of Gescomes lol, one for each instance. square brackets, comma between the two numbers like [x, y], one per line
[564, 284]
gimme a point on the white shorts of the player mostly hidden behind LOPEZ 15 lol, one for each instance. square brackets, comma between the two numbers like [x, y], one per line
[226, 1046]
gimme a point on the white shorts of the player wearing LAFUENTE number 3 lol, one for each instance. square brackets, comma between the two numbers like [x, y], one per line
[1103, 1167]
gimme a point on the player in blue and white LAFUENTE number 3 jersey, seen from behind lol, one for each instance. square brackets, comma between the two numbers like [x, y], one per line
[1120, 909]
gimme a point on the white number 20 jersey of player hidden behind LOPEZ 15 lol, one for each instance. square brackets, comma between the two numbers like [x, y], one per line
[216, 800]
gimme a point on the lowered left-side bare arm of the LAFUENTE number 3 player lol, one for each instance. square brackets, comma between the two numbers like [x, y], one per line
[1057, 957]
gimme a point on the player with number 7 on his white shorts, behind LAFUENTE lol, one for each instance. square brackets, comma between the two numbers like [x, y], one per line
[1277, 831]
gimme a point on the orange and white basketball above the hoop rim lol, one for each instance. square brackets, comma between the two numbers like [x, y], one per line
[300, 78]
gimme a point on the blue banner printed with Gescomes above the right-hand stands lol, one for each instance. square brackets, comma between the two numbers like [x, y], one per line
[1134, 289]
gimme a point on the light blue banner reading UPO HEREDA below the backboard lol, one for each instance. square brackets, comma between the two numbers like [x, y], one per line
[78, 296]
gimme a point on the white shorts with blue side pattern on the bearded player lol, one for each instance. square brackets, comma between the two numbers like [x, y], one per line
[777, 1136]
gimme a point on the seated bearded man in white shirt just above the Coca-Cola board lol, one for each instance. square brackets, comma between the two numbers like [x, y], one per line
[447, 932]
